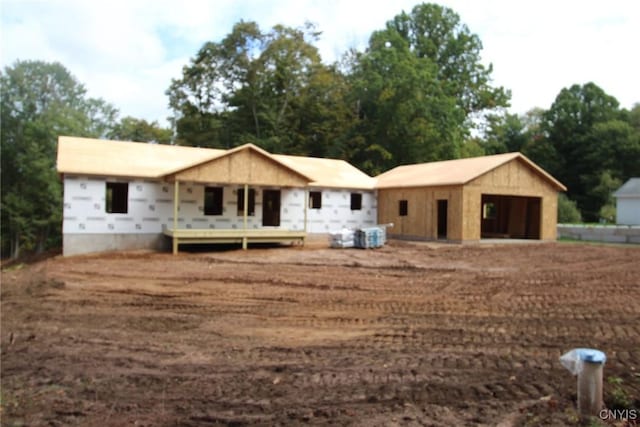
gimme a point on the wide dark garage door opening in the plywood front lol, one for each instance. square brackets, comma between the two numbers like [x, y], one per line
[510, 217]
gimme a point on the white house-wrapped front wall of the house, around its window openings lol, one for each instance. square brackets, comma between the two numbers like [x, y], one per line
[87, 227]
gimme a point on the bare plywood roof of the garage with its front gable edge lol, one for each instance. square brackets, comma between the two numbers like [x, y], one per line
[455, 172]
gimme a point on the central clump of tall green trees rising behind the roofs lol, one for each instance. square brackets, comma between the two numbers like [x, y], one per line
[409, 97]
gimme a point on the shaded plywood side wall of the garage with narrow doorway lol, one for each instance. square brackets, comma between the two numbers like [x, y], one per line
[421, 221]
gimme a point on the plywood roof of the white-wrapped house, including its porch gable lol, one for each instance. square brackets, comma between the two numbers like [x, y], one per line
[247, 164]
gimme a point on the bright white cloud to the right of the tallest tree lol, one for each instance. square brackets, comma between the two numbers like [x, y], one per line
[537, 48]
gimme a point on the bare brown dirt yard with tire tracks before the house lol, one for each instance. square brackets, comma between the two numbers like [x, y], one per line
[409, 334]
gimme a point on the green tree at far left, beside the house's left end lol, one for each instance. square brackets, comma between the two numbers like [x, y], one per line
[40, 101]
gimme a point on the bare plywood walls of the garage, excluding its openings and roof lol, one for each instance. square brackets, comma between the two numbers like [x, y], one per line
[515, 178]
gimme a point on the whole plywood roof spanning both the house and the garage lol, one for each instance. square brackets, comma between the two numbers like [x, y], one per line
[249, 164]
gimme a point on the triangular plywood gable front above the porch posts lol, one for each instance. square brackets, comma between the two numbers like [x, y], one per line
[243, 167]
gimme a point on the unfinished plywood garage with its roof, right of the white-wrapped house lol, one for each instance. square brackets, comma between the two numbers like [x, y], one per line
[500, 196]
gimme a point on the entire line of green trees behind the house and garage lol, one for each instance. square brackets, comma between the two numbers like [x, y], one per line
[418, 92]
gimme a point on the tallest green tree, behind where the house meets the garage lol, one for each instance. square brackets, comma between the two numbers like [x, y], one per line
[417, 87]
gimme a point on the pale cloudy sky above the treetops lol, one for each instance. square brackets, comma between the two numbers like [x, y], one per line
[127, 51]
